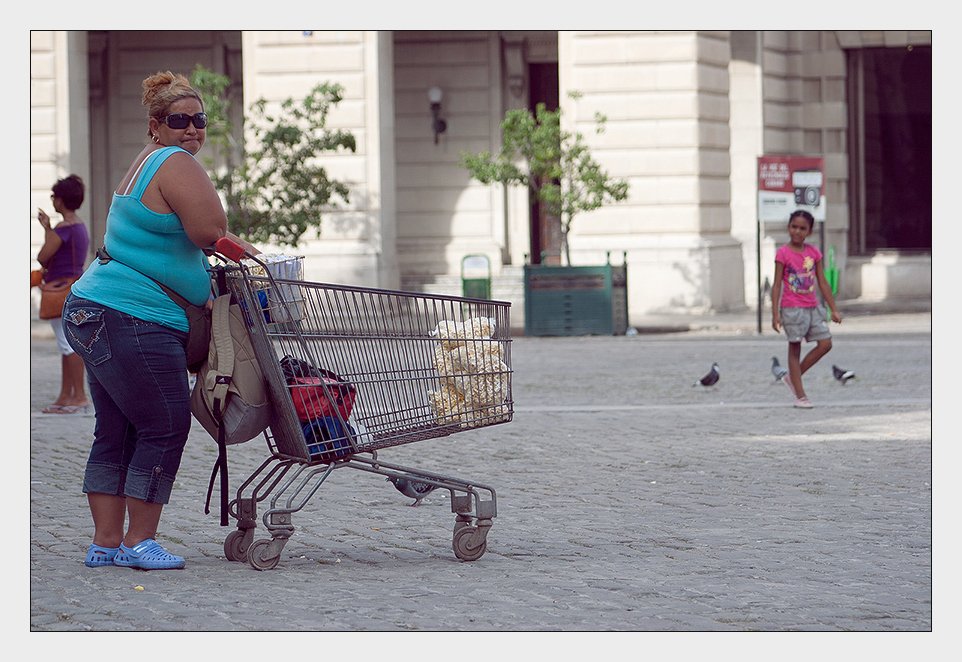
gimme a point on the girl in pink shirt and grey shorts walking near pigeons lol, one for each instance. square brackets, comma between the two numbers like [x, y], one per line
[798, 271]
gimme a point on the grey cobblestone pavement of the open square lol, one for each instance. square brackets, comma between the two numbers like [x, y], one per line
[628, 500]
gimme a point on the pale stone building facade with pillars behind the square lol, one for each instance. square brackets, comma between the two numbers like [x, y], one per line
[688, 114]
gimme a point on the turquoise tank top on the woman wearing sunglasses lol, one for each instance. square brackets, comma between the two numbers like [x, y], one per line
[155, 244]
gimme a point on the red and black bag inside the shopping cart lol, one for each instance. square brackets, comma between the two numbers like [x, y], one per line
[316, 392]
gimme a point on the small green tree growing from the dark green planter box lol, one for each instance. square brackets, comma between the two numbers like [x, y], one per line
[557, 167]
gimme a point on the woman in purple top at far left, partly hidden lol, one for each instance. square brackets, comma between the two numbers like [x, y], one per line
[63, 255]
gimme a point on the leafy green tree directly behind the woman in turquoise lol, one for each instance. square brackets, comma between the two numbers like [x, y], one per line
[276, 190]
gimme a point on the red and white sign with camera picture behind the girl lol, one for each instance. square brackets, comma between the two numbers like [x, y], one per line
[787, 183]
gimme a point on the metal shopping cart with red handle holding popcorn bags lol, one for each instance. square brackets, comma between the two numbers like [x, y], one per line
[351, 371]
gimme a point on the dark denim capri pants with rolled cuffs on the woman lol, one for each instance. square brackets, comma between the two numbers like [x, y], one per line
[137, 372]
